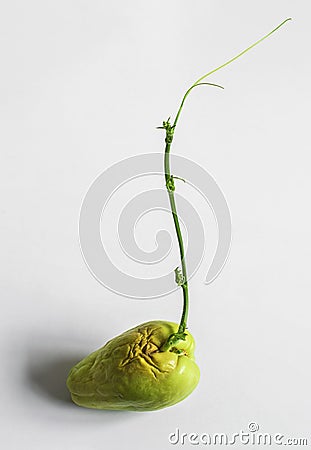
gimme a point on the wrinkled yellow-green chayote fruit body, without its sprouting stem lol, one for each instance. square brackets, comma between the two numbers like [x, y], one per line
[131, 373]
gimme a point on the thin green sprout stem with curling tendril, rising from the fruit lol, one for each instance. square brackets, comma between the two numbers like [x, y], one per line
[181, 277]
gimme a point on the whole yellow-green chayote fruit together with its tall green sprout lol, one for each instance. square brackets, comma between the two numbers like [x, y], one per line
[151, 366]
